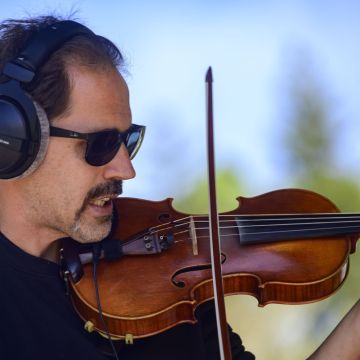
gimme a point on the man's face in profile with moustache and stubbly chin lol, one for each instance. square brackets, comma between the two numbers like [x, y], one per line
[65, 195]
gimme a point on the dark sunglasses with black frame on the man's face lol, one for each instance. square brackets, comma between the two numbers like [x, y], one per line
[102, 146]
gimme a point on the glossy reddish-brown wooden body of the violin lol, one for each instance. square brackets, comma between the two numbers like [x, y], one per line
[143, 295]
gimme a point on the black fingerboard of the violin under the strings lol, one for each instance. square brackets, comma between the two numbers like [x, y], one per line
[255, 229]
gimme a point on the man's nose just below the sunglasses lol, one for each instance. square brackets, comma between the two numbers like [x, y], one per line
[120, 167]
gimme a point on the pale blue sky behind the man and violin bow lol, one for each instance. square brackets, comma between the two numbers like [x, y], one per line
[250, 46]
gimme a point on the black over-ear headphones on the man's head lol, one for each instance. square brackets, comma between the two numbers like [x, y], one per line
[24, 127]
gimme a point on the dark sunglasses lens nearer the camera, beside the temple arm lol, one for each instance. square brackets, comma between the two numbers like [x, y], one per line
[103, 147]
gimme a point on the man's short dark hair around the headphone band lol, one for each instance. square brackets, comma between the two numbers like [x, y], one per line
[51, 86]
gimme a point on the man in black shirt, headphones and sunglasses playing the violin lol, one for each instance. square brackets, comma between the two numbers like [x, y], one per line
[62, 185]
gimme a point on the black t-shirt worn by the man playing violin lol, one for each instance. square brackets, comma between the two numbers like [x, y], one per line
[39, 322]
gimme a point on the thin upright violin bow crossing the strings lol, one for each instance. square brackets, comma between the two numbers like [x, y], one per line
[223, 336]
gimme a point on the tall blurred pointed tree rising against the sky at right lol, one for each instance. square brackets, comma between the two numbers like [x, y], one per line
[310, 131]
